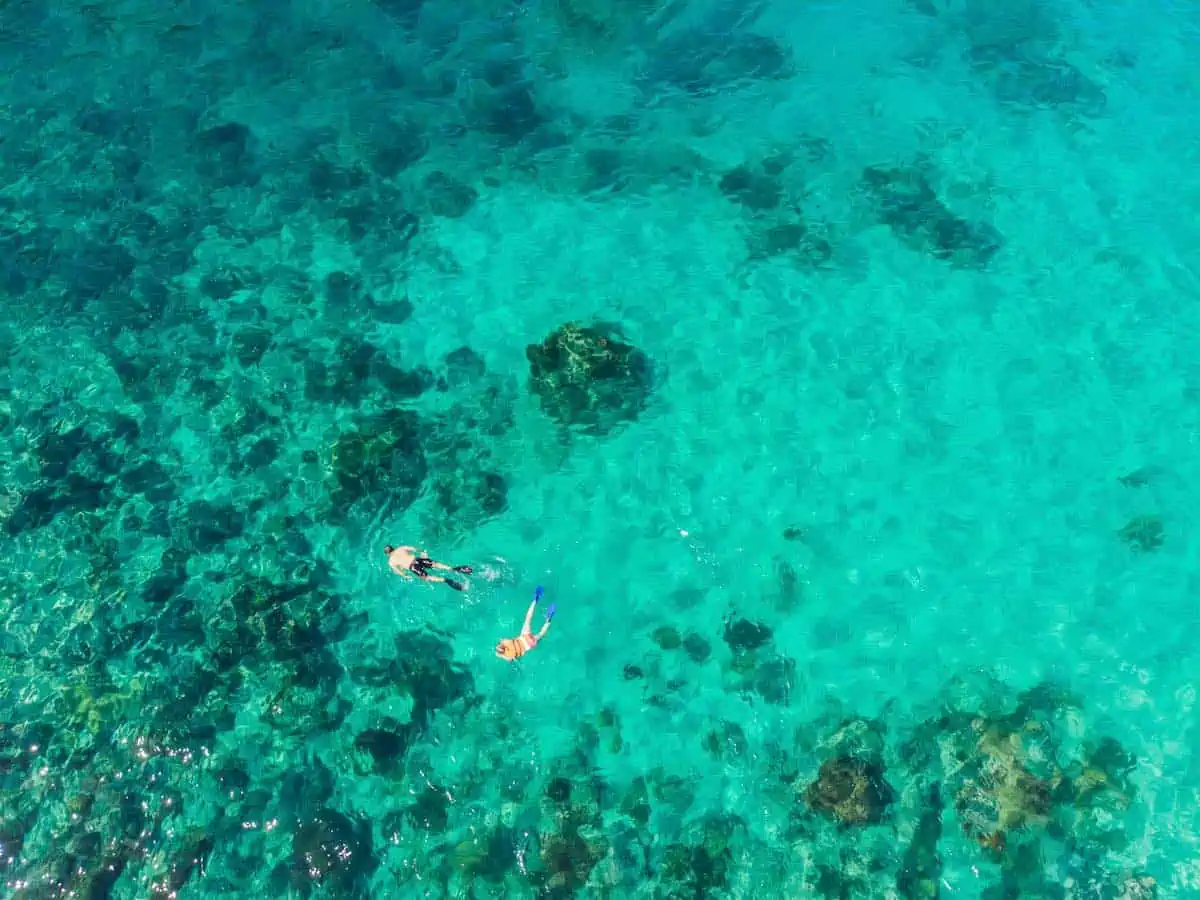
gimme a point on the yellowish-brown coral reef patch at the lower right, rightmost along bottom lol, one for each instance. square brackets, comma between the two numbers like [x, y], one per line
[1027, 793]
